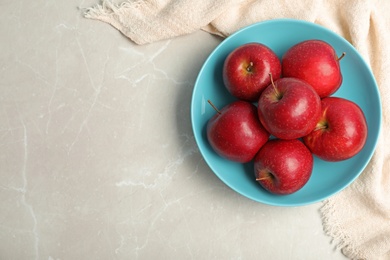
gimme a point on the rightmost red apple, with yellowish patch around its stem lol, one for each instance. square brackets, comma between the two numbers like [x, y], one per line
[341, 131]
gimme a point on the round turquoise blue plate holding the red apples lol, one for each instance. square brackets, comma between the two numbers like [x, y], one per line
[358, 85]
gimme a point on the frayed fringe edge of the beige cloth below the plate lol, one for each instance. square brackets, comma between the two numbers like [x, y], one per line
[333, 230]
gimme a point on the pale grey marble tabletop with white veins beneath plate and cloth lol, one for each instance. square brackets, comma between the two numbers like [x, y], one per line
[98, 156]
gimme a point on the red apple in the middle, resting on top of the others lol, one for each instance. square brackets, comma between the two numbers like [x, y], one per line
[294, 114]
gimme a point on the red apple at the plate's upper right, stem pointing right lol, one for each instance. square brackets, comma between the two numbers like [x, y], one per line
[315, 62]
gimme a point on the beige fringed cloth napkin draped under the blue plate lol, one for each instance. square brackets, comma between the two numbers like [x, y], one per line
[358, 218]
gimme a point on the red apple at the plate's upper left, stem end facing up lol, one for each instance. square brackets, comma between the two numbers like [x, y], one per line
[246, 81]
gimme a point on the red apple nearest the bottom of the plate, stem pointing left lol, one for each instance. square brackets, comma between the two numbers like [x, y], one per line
[283, 166]
